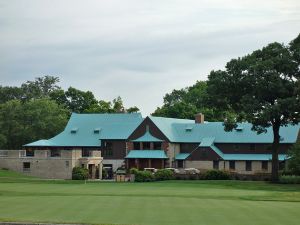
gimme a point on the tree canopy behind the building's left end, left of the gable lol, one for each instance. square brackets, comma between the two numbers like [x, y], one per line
[40, 109]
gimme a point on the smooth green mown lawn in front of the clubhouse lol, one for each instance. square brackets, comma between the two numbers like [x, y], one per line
[157, 203]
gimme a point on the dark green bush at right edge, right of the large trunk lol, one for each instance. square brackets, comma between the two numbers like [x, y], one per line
[294, 159]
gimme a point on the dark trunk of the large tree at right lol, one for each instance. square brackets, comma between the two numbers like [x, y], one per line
[275, 148]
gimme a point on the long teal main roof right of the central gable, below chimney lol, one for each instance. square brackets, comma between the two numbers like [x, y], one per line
[175, 130]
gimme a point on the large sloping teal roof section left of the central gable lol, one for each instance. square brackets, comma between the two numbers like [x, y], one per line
[80, 129]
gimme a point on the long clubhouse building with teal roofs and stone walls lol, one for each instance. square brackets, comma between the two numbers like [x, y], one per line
[111, 141]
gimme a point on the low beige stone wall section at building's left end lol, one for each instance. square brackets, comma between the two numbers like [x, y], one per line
[43, 164]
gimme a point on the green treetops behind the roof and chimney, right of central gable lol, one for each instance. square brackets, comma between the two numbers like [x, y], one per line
[187, 102]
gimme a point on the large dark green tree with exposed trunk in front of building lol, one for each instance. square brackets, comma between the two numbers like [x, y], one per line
[261, 88]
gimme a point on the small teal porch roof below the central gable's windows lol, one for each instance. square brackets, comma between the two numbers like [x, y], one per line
[146, 154]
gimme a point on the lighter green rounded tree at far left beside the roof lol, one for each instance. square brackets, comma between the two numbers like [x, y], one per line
[35, 119]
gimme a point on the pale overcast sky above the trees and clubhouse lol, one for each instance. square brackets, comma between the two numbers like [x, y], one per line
[137, 49]
